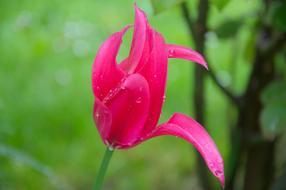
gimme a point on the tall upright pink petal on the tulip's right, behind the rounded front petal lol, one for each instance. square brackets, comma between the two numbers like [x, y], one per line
[155, 72]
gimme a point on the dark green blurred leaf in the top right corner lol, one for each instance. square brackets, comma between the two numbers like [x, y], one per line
[278, 16]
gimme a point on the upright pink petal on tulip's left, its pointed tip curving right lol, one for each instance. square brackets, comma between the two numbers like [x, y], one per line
[105, 73]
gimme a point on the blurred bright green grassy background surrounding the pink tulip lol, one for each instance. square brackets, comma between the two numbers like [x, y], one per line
[47, 136]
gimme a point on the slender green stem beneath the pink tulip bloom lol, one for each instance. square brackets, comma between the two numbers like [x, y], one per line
[102, 170]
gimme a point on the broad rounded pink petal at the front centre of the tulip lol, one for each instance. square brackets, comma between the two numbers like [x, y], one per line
[129, 106]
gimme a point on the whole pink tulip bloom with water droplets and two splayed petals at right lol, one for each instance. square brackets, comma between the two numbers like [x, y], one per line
[129, 96]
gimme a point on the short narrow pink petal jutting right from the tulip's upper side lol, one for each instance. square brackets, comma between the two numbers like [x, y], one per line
[176, 51]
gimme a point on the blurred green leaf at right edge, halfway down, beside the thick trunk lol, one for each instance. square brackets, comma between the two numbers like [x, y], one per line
[273, 116]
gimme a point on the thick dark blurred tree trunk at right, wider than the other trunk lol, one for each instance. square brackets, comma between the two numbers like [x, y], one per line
[259, 167]
